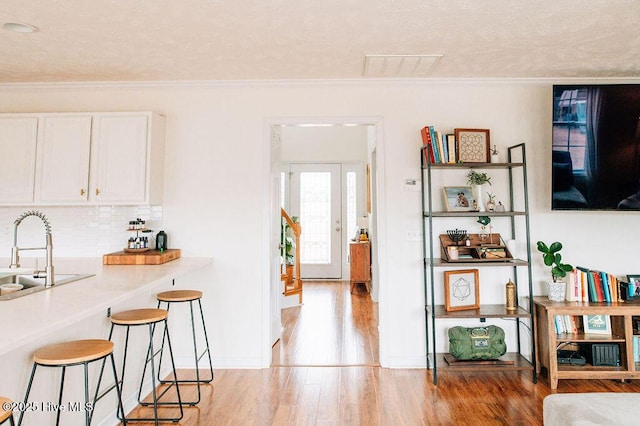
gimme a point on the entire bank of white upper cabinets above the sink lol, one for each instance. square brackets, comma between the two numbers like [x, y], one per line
[84, 158]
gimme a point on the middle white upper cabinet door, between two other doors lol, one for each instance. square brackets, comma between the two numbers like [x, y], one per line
[64, 159]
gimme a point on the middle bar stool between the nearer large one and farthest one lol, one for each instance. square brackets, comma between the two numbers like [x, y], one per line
[149, 317]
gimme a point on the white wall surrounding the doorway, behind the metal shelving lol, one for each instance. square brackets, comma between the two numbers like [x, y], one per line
[217, 186]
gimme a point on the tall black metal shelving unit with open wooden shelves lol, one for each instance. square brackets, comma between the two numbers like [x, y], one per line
[517, 214]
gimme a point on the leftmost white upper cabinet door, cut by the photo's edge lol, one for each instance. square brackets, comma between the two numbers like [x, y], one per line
[18, 138]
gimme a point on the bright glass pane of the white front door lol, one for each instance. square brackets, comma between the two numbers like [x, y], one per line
[315, 217]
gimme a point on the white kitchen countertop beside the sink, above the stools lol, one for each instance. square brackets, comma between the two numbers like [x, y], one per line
[27, 318]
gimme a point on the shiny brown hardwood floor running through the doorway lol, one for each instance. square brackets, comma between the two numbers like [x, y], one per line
[366, 394]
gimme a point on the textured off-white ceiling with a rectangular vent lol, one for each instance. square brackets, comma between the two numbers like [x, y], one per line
[149, 40]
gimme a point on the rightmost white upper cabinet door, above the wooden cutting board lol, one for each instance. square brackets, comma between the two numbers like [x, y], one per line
[121, 158]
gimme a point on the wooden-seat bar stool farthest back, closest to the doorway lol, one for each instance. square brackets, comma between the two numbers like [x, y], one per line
[191, 296]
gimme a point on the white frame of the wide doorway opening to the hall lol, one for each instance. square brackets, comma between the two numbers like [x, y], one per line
[272, 328]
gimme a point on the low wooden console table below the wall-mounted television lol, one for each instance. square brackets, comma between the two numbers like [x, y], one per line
[622, 334]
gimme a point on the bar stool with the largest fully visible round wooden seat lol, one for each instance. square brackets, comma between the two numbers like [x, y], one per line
[68, 354]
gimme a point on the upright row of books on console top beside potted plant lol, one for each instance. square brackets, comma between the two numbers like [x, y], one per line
[592, 286]
